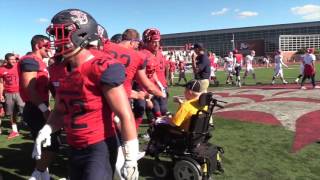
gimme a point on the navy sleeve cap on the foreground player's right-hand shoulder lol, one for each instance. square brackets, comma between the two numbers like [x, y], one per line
[114, 75]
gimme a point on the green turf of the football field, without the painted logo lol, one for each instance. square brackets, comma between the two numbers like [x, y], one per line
[253, 151]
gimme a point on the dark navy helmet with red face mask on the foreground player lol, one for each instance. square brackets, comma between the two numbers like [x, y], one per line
[72, 29]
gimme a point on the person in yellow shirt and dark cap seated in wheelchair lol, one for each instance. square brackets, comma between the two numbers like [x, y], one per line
[166, 128]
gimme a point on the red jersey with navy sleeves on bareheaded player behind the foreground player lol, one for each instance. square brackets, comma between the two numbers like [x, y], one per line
[32, 63]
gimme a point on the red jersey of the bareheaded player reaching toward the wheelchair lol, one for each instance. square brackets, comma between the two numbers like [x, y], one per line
[130, 58]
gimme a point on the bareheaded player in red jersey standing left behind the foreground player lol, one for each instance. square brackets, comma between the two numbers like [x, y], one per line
[34, 91]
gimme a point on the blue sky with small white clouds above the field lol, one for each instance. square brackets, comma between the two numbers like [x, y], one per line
[21, 19]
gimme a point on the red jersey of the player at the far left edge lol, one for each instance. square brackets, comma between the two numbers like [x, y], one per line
[10, 78]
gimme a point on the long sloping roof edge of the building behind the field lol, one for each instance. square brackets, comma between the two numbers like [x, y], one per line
[242, 29]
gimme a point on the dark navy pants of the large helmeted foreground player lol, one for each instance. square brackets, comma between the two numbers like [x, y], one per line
[95, 162]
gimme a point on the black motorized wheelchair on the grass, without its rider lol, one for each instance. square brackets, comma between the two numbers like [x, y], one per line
[190, 154]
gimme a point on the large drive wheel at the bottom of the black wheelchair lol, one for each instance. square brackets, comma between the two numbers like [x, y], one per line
[185, 170]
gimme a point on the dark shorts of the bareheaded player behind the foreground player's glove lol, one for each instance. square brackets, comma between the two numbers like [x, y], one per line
[35, 120]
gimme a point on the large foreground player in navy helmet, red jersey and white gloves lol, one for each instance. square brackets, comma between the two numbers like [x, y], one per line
[85, 101]
